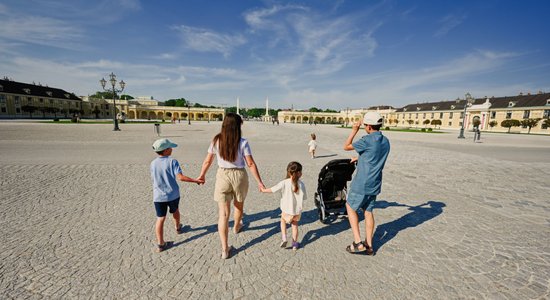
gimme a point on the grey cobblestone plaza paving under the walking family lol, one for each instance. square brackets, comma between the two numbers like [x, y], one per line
[455, 219]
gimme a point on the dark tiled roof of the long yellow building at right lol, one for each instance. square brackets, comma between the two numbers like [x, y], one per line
[496, 102]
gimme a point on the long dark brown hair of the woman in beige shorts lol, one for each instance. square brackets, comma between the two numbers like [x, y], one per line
[229, 137]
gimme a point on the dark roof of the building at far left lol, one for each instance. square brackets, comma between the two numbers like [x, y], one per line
[14, 87]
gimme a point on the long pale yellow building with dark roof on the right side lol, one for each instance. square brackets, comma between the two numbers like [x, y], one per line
[490, 111]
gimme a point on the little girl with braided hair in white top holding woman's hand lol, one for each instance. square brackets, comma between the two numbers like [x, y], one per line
[293, 192]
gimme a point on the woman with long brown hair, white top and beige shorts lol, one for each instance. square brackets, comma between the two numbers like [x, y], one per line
[233, 154]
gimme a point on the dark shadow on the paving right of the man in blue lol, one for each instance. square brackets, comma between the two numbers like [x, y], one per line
[418, 215]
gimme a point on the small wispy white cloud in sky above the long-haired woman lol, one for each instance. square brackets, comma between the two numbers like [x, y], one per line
[204, 40]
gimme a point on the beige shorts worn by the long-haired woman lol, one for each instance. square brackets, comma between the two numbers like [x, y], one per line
[231, 184]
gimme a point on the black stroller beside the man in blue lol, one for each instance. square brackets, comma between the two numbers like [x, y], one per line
[332, 189]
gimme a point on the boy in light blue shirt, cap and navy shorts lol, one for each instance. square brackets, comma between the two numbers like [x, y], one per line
[165, 171]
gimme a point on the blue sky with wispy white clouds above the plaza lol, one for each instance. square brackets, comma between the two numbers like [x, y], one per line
[327, 54]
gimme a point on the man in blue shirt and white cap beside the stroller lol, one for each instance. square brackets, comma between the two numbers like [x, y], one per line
[373, 150]
